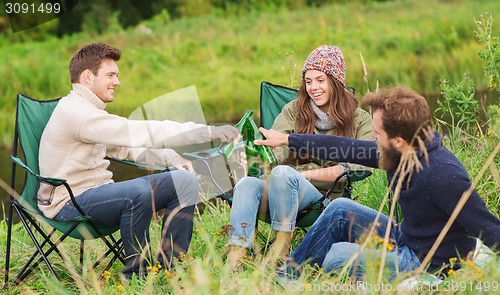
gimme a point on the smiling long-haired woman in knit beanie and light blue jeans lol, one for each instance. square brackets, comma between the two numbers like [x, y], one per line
[323, 106]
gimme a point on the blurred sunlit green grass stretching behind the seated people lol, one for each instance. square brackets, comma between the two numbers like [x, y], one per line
[226, 58]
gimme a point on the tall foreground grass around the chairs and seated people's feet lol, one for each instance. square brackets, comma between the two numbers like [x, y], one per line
[204, 271]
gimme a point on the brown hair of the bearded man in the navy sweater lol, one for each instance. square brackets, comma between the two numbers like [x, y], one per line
[405, 113]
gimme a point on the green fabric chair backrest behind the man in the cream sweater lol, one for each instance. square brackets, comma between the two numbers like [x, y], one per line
[31, 118]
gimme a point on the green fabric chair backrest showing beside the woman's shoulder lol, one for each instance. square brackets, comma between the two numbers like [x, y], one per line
[272, 99]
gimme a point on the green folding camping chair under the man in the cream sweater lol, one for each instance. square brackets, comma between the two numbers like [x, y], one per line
[31, 118]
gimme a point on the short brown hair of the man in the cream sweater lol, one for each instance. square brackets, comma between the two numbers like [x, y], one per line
[90, 57]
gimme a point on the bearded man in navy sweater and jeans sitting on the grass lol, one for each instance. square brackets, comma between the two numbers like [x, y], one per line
[427, 179]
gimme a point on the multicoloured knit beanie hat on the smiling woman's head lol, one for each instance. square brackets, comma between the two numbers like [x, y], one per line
[327, 59]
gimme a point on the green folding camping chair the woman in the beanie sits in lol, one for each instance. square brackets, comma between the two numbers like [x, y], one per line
[272, 99]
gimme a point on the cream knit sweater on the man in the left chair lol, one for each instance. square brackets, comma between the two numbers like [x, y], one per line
[80, 133]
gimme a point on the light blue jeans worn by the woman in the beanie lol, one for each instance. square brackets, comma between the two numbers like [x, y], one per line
[285, 191]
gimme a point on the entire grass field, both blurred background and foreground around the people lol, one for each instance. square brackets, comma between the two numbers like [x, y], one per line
[402, 42]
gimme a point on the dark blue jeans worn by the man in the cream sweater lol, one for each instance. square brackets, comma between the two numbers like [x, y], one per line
[131, 204]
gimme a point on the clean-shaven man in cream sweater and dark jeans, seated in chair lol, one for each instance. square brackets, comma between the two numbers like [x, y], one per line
[80, 134]
